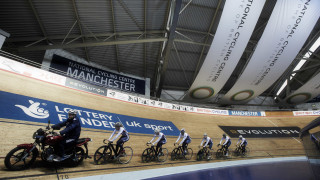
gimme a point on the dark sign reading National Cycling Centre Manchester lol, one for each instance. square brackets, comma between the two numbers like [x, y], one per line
[97, 76]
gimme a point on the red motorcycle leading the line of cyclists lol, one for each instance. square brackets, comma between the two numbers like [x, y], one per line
[24, 155]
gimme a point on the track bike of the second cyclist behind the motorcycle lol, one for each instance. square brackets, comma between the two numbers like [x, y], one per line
[149, 154]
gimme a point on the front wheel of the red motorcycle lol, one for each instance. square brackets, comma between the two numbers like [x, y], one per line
[15, 160]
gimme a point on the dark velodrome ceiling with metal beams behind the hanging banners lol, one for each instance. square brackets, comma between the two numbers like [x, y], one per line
[166, 41]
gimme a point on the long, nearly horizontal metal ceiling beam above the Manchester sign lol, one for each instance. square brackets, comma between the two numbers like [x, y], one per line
[90, 44]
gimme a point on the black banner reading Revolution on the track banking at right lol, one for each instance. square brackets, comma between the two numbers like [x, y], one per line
[261, 132]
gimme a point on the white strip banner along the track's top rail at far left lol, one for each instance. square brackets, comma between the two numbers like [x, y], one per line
[26, 70]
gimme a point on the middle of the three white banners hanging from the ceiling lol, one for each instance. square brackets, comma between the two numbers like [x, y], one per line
[287, 30]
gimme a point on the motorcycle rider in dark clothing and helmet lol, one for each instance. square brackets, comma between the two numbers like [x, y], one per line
[71, 134]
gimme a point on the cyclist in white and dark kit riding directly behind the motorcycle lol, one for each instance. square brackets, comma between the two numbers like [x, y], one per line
[124, 137]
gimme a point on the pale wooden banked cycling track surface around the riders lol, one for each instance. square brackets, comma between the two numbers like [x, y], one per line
[15, 132]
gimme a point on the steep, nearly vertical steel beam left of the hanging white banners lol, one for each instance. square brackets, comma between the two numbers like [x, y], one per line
[171, 35]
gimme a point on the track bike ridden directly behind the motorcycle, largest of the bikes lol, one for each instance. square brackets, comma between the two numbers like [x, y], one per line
[106, 153]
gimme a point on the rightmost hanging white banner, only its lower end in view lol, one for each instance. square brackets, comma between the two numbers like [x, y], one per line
[308, 91]
